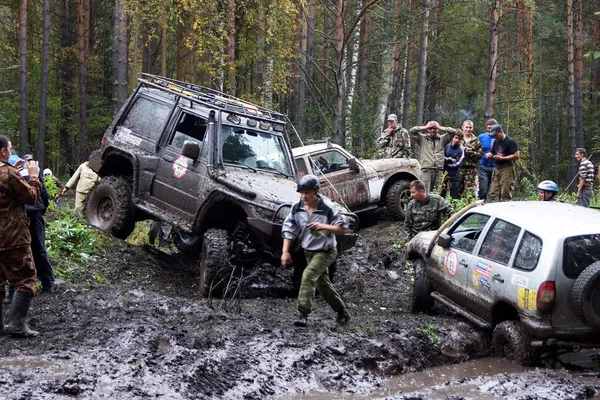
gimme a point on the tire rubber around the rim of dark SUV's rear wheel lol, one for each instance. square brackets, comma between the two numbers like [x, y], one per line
[124, 223]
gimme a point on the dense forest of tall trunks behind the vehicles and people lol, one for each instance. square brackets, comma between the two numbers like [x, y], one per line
[336, 67]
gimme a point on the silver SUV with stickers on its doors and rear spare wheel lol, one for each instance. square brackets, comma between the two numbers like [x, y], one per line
[528, 271]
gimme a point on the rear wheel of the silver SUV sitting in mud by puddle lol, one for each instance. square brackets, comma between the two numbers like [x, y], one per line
[510, 341]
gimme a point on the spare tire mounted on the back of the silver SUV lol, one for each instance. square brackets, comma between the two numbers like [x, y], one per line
[585, 295]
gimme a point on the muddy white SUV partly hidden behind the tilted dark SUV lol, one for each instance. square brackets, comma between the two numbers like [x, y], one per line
[361, 185]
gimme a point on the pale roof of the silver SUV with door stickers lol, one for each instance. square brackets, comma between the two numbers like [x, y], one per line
[546, 218]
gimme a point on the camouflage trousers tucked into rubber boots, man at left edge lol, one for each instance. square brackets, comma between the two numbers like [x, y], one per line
[17, 267]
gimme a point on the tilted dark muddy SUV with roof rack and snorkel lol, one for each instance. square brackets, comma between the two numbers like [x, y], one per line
[215, 167]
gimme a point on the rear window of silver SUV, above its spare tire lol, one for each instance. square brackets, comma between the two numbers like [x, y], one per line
[579, 253]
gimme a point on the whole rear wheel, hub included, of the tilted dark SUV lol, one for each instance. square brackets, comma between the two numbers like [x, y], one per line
[109, 207]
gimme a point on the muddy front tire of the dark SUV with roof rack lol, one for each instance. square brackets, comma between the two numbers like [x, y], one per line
[214, 262]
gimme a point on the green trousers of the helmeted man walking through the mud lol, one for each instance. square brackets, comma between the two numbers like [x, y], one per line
[316, 276]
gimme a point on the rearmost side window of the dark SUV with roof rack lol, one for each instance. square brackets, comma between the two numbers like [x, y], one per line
[147, 118]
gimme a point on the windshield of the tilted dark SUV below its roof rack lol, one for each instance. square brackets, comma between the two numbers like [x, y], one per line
[254, 149]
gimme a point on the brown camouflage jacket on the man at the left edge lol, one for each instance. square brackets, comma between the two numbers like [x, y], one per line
[14, 194]
